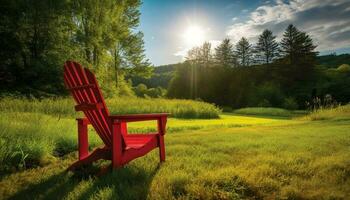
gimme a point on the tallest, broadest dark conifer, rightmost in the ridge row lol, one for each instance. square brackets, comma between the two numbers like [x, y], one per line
[297, 47]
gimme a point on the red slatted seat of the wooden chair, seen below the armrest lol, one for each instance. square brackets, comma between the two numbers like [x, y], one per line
[136, 141]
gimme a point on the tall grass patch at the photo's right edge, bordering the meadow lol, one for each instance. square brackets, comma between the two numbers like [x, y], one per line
[329, 113]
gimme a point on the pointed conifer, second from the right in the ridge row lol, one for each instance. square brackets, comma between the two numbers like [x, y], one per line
[267, 46]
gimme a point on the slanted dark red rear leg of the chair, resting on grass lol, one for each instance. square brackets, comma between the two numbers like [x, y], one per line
[99, 153]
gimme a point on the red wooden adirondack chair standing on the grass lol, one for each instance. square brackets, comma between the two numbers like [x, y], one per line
[119, 146]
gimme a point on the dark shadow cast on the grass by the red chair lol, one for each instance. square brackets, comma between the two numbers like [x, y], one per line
[125, 183]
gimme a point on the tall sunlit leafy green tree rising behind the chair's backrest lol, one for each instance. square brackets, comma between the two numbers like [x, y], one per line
[108, 28]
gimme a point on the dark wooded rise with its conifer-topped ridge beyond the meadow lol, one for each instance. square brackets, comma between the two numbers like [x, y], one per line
[268, 73]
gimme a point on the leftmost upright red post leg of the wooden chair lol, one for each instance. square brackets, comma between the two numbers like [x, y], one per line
[83, 139]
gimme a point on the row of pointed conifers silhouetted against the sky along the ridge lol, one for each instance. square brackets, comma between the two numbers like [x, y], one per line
[295, 47]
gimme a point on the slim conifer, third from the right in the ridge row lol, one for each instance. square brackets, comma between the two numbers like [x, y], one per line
[244, 52]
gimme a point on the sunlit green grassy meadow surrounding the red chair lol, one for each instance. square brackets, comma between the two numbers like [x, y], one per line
[252, 155]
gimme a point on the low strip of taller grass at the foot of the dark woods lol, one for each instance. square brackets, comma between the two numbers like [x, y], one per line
[266, 111]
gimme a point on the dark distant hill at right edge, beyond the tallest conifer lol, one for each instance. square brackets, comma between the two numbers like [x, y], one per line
[333, 61]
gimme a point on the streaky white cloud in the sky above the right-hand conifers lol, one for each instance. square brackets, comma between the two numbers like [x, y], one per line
[327, 21]
